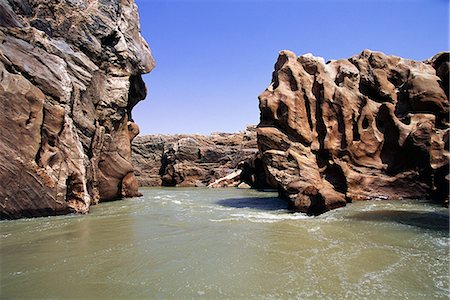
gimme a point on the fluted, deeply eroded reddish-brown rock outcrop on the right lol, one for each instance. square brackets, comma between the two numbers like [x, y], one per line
[372, 126]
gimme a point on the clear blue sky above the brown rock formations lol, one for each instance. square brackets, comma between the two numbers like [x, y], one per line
[215, 57]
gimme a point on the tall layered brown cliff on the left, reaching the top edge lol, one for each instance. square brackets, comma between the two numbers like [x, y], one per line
[70, 73]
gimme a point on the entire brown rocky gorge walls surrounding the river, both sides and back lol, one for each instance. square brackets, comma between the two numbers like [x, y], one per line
[369, 127]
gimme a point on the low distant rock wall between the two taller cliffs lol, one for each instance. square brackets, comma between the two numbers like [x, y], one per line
[216, 160]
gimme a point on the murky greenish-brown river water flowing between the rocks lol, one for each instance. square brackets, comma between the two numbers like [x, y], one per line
[184, 243]
